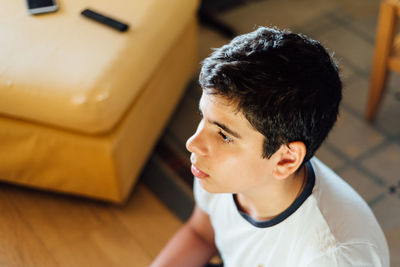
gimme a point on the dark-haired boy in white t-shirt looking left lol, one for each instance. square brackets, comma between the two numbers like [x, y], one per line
[269, 99]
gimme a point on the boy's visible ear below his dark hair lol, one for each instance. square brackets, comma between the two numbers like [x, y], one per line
[289, 159]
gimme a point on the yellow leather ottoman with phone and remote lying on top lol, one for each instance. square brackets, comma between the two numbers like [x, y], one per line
[81, 105]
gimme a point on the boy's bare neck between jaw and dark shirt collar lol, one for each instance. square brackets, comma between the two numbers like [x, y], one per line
[266, 203]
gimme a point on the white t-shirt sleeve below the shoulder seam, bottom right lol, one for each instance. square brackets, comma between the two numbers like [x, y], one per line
[350, 255]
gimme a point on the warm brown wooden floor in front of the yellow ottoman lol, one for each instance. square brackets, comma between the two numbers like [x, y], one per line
[46, 229]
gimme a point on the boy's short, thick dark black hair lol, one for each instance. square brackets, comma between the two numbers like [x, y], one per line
[286, 85]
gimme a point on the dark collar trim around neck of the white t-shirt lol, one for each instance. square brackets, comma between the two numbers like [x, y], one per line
[289, 211]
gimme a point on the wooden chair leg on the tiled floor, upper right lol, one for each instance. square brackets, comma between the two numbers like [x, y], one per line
[383, 44]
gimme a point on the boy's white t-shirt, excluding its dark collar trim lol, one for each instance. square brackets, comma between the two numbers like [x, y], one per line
[328, 225]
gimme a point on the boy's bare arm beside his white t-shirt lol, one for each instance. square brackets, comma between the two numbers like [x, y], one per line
[193, 245]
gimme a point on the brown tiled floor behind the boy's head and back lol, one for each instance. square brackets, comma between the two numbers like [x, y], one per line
[366, 155]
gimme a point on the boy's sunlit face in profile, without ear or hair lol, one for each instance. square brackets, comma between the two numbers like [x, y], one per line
[226, 150]
